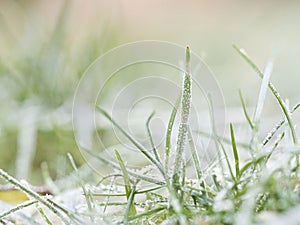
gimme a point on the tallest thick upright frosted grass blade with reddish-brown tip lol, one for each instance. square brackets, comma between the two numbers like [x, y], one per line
[185, 113]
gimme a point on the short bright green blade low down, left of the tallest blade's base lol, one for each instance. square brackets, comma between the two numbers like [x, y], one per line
[129, 192]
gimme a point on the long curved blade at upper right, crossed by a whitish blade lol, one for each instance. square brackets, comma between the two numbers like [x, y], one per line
[274, 91]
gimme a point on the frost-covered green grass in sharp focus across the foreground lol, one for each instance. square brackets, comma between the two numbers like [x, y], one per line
[263, 189]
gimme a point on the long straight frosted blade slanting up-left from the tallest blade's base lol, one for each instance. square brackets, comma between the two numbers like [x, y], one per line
[133, 141]
